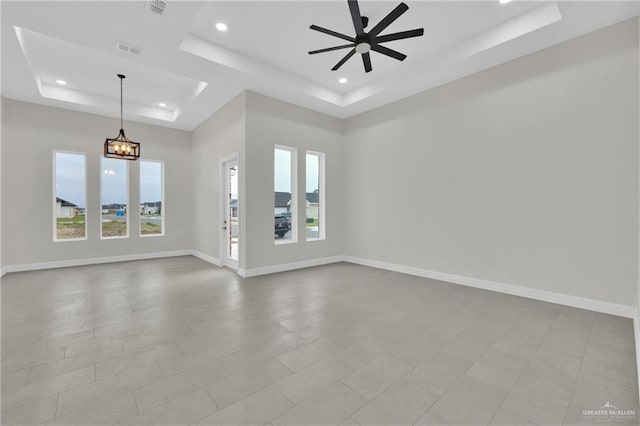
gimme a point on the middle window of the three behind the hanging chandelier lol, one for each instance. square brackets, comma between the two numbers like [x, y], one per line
[115, 198]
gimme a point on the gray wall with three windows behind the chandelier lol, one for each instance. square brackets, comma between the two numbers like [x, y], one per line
[30, 134]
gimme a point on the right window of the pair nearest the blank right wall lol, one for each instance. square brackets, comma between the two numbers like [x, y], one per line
[314, 194]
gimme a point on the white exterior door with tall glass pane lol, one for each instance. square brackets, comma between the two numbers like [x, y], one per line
[231, 218]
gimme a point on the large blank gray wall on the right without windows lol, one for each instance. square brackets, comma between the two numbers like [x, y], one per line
[525, 174]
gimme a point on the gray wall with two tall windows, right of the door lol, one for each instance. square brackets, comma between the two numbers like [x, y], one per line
[271, 122]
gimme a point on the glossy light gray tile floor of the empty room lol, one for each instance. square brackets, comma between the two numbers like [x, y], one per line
[179, 342]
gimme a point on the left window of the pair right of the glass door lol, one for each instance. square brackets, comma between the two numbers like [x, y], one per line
[284, 182]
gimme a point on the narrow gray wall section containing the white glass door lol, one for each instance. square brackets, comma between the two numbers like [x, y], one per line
[219, 136]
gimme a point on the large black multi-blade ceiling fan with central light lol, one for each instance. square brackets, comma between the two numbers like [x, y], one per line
[363, 42]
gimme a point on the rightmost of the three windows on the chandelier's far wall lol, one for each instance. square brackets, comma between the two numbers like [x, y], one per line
[151, 198]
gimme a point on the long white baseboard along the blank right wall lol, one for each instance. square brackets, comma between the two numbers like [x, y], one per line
[543, 295]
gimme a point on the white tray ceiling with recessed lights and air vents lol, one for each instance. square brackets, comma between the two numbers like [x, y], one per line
[195, 69]
